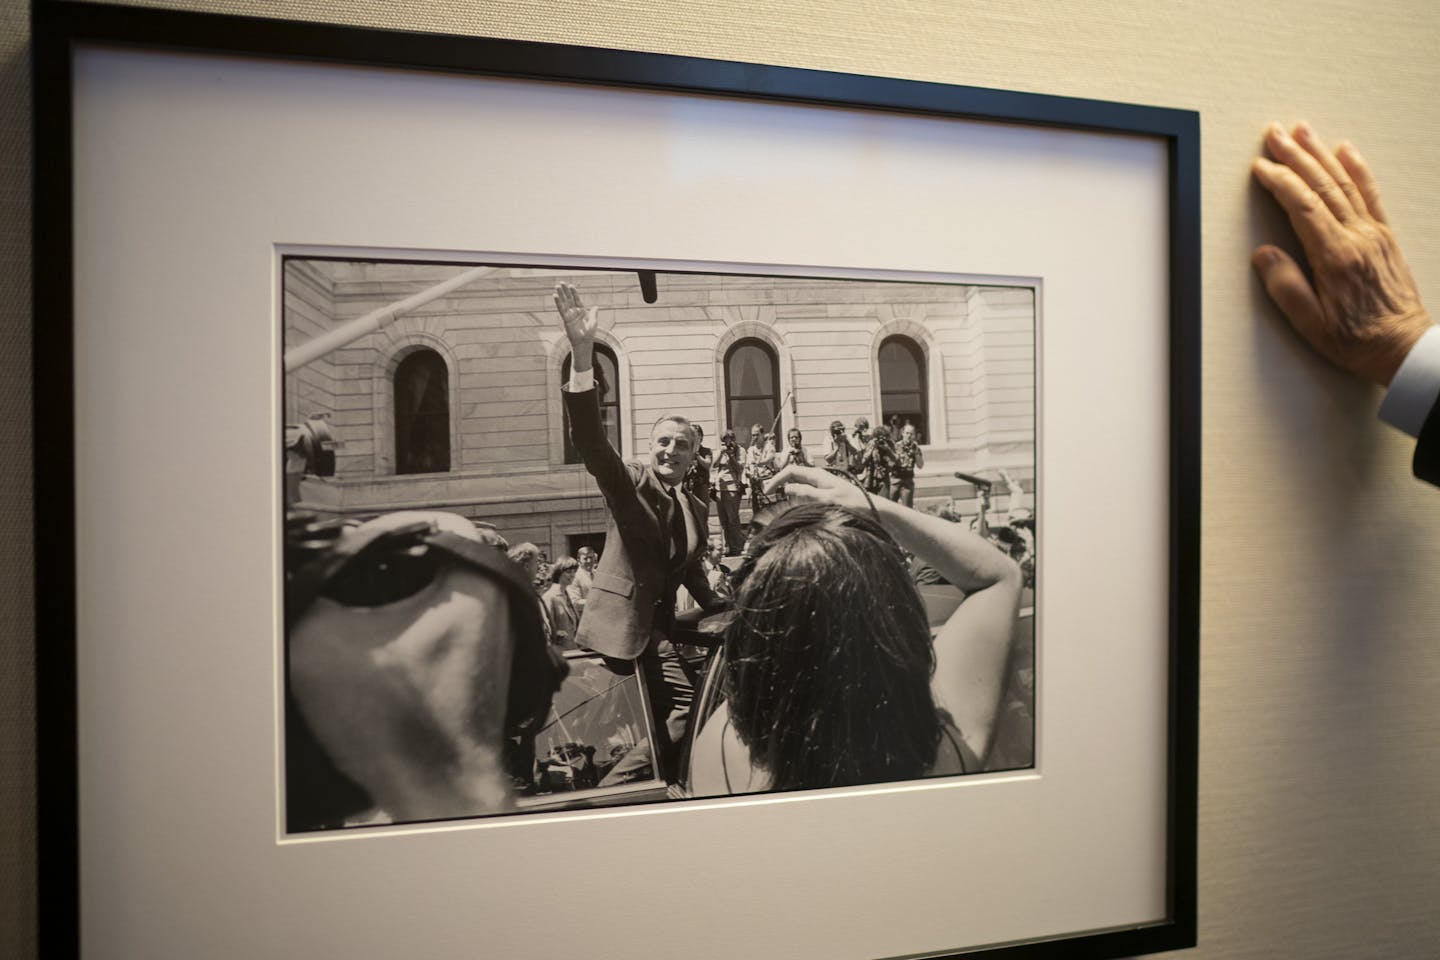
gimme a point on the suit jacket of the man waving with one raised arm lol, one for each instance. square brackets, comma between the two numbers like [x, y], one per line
[633, 589]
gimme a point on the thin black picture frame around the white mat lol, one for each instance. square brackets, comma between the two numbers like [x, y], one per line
[60, 28]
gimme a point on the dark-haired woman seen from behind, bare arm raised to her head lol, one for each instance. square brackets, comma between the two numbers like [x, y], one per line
[832, 673]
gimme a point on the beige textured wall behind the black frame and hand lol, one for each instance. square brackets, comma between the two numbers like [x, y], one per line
[1321, 693]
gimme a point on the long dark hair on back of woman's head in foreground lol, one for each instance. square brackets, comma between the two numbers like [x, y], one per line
[829, 656]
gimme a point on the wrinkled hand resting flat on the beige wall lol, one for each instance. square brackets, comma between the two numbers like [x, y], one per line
[1360, 307]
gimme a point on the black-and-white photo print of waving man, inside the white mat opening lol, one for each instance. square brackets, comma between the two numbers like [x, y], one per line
[431, 394]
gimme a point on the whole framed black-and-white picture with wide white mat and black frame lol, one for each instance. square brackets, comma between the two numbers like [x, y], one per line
[500, 486]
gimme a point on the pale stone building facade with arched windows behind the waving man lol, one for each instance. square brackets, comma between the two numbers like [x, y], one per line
[456, 405]
